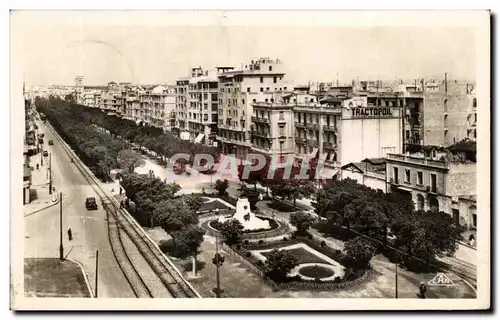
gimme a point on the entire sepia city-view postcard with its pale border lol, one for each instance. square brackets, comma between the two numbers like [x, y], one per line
[186, 160]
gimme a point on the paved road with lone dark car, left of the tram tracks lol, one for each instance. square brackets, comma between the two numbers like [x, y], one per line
[89, 227]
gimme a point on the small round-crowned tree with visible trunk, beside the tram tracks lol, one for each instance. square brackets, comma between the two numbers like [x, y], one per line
[188, 242]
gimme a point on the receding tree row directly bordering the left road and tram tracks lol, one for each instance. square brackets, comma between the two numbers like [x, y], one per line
[97, 149]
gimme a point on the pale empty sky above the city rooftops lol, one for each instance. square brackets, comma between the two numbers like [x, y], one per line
[54, 51]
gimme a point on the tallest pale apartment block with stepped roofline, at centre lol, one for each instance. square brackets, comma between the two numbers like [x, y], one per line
[260, 81]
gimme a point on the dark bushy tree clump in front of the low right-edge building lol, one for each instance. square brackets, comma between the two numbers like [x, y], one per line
[423, 235]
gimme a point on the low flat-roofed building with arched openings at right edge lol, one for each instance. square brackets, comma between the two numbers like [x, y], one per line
[440, 181]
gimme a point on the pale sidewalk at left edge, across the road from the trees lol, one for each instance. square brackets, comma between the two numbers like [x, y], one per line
[39, 192]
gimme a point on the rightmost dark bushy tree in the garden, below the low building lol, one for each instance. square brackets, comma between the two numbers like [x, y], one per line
[427, 234]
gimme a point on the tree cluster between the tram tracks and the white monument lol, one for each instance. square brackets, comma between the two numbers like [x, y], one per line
[158, 205]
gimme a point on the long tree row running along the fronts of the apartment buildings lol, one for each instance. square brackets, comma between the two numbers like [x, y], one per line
[164, 144]
